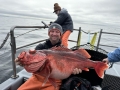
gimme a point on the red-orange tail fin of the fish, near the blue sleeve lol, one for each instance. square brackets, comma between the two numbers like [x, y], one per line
[100, 68]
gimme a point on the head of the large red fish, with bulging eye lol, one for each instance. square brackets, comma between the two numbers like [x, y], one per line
[32, 60]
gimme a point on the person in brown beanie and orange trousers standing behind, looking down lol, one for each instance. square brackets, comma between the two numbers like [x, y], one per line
[65, 20]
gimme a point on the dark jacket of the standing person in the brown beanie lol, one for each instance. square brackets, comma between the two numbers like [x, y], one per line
[65, 20]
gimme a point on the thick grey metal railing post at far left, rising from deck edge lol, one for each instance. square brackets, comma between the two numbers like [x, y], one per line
[13, 51]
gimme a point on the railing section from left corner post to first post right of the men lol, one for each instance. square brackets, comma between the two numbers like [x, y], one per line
[14, 48]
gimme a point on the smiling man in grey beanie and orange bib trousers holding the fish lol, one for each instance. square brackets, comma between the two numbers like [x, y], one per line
[35, 81]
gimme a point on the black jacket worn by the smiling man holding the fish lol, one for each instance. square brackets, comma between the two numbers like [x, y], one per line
[46, 45]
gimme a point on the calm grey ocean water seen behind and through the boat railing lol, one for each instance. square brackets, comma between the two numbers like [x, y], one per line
[23, 38]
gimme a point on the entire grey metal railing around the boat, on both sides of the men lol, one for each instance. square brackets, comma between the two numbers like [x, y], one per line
[14, 48]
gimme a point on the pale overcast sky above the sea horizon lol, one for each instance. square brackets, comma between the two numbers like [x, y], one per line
[101, 12]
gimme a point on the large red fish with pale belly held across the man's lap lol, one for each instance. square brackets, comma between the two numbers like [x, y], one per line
[59, 63]
